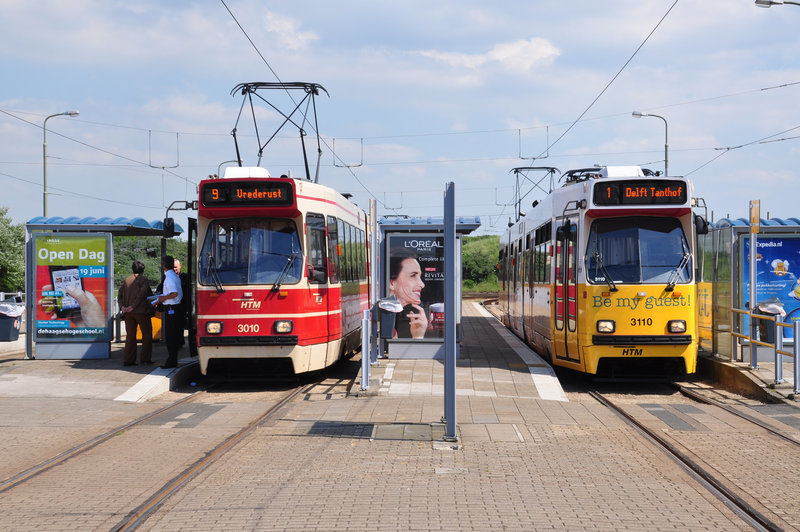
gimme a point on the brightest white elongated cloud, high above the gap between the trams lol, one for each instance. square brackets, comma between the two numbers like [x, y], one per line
[518, 55]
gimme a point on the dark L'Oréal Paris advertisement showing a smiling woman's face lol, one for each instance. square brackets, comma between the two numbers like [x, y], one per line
[415, 276]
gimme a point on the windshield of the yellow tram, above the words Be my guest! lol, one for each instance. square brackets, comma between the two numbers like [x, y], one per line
[637, 250]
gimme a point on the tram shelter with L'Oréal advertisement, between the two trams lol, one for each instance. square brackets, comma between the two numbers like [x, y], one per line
[412, 266]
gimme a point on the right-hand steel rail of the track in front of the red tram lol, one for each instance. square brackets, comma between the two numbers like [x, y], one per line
[147, 508]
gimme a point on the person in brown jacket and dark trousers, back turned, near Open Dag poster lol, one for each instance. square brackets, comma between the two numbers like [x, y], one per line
[132, 299]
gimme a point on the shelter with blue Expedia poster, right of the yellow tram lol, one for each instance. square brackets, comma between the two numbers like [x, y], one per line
[723, 276]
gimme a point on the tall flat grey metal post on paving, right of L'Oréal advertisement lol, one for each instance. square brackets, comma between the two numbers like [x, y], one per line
[450, 303]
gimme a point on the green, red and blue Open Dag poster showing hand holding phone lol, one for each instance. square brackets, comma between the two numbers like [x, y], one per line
[72, 294]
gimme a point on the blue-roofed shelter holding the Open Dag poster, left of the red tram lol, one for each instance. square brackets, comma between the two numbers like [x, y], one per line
[74, 256]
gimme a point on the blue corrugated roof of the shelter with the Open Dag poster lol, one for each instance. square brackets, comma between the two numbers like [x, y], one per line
[119, 226]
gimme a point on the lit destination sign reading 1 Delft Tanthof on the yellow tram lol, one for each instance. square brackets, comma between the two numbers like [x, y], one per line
[640, 192]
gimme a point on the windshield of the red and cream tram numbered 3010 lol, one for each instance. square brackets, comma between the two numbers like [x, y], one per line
[250, 251]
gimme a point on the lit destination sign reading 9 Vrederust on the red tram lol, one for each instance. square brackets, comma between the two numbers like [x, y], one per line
[248, 193]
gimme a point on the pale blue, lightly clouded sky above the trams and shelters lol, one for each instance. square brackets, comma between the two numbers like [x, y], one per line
[419, 94]
